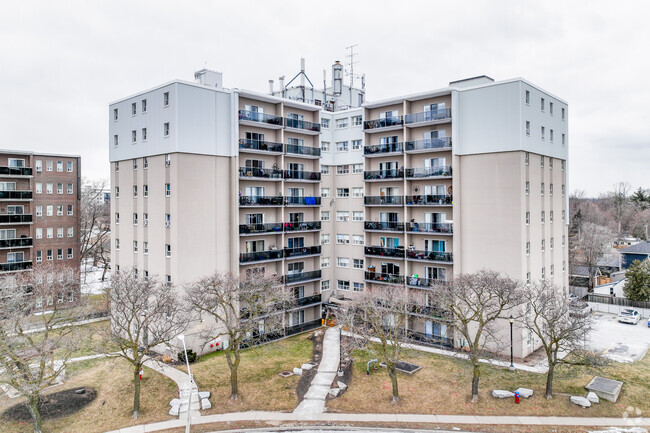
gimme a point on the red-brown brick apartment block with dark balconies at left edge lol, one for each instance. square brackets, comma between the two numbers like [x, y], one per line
[39, 213]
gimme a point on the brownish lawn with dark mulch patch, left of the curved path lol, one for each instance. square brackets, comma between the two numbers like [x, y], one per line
[112, 407]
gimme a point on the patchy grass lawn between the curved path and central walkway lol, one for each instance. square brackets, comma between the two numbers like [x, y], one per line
[260, 386]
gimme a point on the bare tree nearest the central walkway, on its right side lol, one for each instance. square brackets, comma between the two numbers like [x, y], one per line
[378, 317]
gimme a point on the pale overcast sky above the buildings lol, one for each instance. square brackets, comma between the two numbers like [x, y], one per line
[62, 62]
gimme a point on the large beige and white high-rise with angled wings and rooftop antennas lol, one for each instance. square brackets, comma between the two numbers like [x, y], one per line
[404, 191]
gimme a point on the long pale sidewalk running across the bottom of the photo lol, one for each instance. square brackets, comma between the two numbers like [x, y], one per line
[392, 418]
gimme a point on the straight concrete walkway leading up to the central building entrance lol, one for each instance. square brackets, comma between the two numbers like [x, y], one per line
[314, 401]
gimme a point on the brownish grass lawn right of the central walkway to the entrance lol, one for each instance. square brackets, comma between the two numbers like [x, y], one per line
[443, 386]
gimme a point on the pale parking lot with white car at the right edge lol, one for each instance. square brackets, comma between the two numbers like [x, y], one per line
[619, 341]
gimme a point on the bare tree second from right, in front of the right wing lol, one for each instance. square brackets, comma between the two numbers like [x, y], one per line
[476, 302]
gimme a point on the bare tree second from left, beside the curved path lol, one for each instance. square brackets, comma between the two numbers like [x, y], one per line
[144, 314]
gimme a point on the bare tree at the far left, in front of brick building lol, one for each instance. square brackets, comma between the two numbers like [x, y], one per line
[29, 342]
